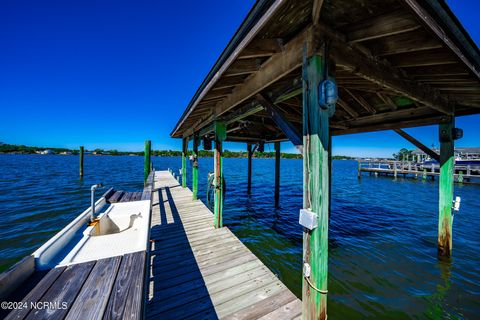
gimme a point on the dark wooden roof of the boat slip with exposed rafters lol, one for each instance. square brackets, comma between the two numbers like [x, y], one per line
[398, 63]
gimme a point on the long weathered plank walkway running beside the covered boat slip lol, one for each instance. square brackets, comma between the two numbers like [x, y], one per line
[197, 271]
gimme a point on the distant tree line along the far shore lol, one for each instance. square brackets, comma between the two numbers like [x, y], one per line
[10, 148]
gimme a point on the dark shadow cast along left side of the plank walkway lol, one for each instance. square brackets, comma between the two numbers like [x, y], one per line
[179, 290]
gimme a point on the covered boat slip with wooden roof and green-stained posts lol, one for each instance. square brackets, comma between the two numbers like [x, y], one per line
[305, 71]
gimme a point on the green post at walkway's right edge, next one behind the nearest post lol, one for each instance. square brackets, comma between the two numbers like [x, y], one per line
[220, 136]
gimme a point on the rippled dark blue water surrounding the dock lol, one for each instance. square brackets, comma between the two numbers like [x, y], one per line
[383, 257]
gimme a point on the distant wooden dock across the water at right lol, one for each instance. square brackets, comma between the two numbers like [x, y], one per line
[412, 169]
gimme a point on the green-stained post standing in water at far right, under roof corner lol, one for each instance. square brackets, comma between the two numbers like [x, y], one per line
[447, 164]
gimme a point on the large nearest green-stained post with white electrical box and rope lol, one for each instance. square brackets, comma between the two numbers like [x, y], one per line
[315, 191]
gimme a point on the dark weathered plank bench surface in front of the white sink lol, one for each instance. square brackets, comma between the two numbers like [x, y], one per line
[110, 288]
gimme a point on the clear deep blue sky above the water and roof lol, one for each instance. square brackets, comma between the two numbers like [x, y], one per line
[111, 74]
